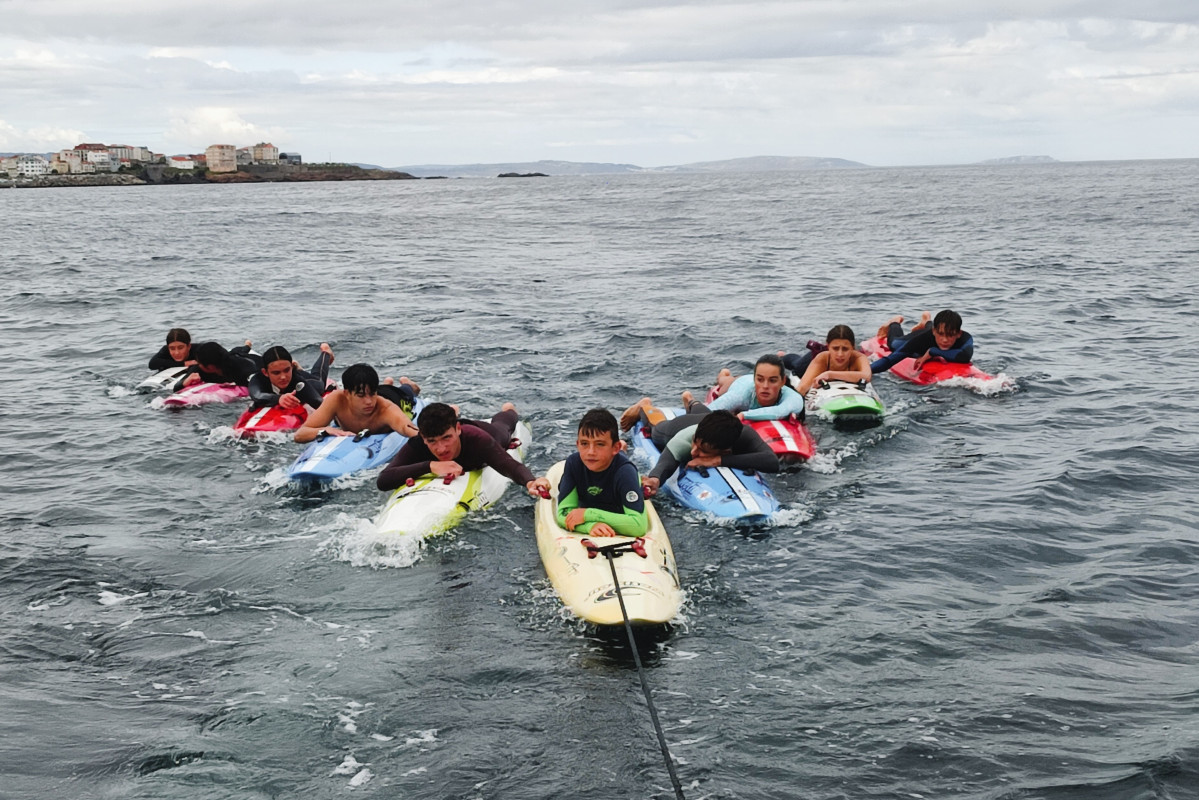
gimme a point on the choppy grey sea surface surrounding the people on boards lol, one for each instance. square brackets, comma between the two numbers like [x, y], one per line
[996, 594]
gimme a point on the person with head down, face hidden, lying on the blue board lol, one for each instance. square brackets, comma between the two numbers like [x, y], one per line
[707, 440]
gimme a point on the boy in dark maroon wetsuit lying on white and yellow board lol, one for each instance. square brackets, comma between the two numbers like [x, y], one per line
[450, 447]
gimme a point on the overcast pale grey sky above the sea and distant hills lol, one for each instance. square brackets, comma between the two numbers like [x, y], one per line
[393, 82]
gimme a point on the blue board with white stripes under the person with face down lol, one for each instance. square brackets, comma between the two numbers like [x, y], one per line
[720, 491]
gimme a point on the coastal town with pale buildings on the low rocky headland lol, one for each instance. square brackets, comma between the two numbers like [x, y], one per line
[94, 164]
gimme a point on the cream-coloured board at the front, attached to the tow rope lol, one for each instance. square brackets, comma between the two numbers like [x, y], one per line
[649, 586]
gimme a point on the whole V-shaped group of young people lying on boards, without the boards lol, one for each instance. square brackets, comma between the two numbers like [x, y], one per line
[600, 492]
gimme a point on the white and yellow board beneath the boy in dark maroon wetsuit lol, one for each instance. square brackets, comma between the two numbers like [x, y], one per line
[431, 506]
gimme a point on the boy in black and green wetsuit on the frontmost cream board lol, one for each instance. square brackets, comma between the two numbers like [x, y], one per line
[601, 494]
